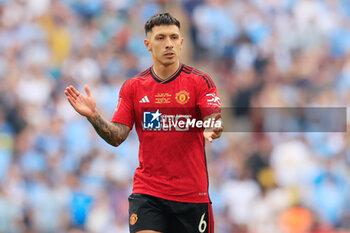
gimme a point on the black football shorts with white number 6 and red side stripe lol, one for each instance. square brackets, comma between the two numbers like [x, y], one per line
[152, 213]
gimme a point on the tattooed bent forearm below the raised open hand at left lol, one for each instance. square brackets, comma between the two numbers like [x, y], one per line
[113, 133]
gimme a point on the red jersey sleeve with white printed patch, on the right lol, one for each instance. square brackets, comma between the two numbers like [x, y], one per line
[208, 98]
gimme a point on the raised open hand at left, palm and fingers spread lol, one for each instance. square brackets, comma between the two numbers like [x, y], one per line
[84, 105]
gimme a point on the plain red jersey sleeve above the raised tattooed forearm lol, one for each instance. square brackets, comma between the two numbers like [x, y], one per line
[124, 112]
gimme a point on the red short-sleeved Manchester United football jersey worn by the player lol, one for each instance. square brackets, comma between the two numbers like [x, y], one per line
[172, 161]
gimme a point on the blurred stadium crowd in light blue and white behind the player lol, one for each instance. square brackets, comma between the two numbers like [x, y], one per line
[57, 175]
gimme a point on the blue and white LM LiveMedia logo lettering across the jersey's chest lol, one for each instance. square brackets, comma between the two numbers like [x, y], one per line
[156, 121]
